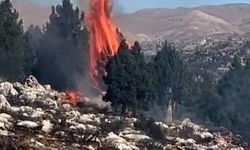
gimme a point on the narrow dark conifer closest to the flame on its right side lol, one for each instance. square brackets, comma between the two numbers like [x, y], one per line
[120, 79]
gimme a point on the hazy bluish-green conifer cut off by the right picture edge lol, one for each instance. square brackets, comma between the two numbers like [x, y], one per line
[234, 89]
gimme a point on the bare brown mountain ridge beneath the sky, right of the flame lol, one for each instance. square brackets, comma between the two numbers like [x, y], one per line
[186, 23]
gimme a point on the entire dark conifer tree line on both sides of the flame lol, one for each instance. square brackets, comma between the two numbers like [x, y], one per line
[58, 53]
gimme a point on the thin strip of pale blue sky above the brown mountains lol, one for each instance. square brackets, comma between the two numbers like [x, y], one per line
[133, 5]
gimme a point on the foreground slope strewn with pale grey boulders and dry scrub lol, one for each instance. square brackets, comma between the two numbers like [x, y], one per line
[33, 116]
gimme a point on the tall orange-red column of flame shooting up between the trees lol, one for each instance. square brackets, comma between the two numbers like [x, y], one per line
[104, 38]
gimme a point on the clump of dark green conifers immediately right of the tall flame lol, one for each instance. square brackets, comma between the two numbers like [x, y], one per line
[136, 84]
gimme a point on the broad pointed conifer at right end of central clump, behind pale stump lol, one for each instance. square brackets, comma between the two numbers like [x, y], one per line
[172, 76]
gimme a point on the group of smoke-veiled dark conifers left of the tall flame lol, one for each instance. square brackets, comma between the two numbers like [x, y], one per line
[55, 54]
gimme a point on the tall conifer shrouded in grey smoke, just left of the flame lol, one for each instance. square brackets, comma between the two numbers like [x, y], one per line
[63, 49]
